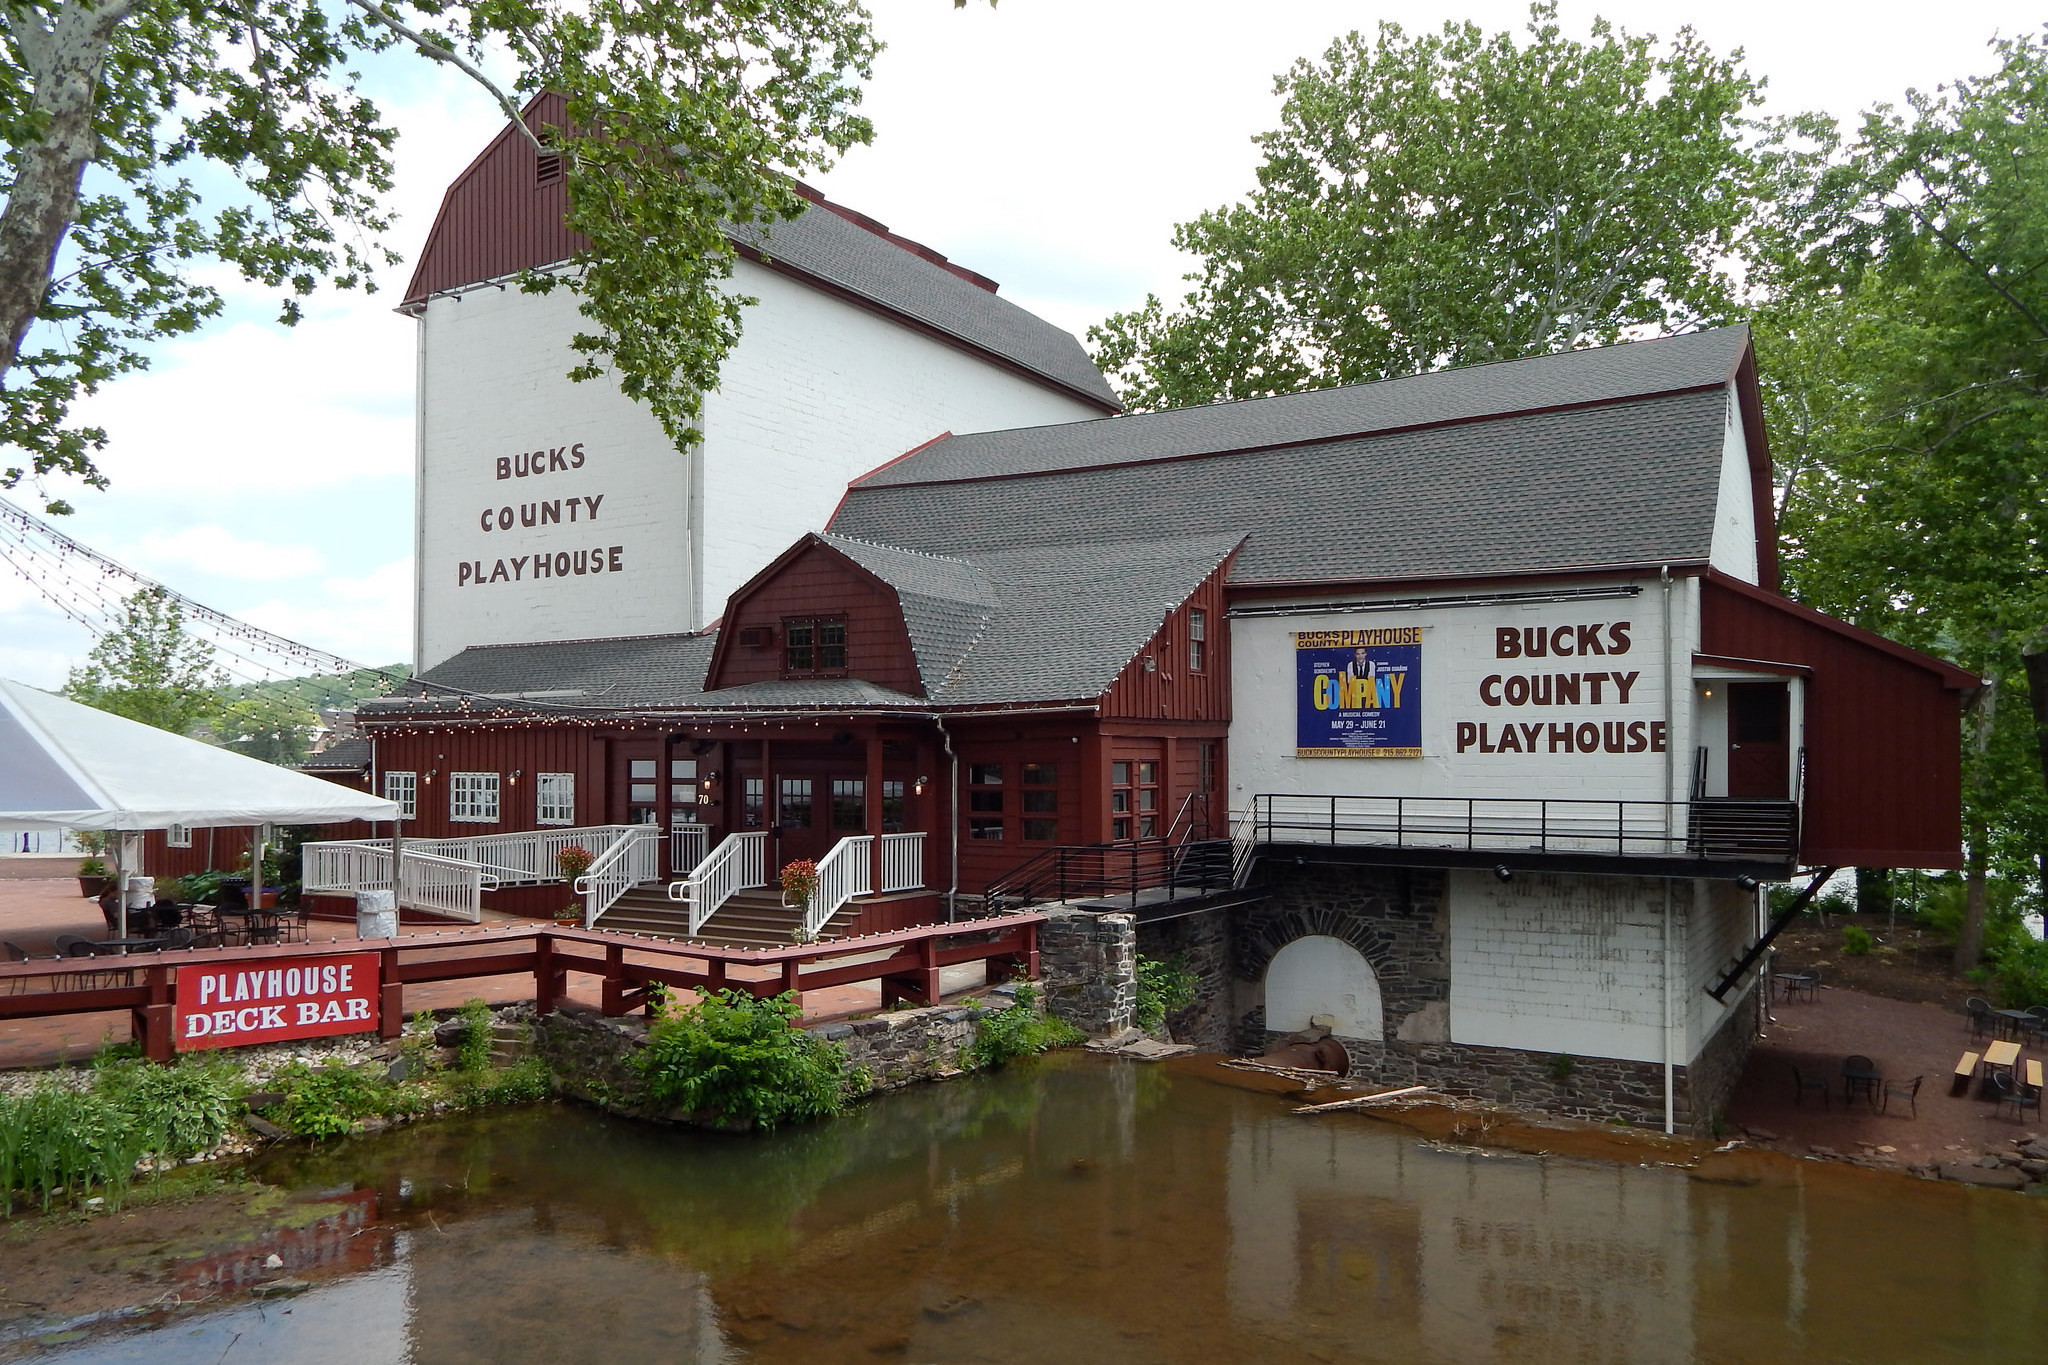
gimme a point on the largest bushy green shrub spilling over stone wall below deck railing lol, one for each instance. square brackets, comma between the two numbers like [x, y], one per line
[738, 1059]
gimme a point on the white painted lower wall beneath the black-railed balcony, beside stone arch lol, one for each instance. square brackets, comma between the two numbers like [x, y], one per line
[1553, 963]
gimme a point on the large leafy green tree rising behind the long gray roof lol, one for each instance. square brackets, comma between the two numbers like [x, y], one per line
[1459, 197]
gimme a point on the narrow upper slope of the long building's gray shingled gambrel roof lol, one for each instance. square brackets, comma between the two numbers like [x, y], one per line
[1578, 378]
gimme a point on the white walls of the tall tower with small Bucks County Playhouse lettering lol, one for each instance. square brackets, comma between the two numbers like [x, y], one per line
[816, 394]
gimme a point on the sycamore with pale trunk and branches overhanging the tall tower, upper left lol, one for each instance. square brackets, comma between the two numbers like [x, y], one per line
[683, 118]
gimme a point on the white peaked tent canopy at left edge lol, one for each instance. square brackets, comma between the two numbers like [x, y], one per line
[69, 766]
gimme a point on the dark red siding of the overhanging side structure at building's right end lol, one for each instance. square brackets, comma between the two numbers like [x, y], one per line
[1883, 746]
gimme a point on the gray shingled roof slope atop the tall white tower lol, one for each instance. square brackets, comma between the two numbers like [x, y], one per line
[841, 253]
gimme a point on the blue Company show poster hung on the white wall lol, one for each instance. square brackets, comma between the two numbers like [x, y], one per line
[1359, 695]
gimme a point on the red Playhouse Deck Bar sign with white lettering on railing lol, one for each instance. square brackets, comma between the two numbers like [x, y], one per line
[302, 998]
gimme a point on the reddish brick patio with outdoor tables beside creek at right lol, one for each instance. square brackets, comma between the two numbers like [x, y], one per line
[1906, 1041]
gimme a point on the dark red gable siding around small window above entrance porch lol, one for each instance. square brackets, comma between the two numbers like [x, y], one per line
[814, 580]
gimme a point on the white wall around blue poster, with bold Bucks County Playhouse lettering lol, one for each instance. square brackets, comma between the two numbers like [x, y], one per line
[1461, 652]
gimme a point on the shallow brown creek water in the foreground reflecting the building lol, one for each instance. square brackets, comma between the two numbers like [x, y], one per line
[1093, 1210]
